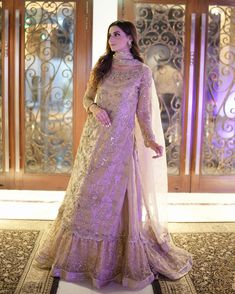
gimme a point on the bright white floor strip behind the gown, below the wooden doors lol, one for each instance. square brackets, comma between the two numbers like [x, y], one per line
[182, 207]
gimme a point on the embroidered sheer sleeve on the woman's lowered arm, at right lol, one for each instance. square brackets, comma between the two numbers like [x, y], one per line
[144, 108]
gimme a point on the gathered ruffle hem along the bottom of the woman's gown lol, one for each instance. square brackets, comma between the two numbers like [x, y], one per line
[134, 264]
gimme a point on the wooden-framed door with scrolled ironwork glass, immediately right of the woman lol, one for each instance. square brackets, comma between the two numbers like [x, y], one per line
[164, 43]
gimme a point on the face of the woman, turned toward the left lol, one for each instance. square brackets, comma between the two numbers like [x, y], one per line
[118, 40]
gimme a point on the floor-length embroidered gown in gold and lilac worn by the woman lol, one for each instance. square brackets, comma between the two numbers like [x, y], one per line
[98, 233]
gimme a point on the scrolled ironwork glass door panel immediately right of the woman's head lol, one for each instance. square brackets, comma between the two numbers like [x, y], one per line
[162, 41]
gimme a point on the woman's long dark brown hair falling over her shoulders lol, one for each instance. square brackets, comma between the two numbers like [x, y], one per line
[104, 63]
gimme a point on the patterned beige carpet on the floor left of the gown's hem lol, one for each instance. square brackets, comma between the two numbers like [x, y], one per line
[17, 273]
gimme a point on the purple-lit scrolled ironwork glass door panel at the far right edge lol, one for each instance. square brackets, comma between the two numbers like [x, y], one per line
[218, 142]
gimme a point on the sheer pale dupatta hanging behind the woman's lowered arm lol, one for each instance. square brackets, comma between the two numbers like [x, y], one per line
[153, 175]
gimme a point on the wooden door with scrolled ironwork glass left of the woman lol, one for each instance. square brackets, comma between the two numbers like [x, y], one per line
[48, 71]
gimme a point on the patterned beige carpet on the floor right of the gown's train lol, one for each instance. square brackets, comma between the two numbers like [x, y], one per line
[213, 269]
